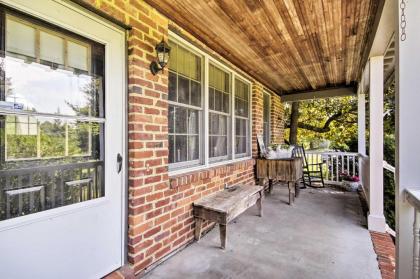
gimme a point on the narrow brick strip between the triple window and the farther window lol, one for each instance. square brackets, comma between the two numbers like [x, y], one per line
[257, 115]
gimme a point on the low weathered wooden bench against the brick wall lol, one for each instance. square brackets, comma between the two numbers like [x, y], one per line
[224, 206]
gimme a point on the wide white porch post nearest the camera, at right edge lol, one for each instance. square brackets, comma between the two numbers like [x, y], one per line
[407, 131]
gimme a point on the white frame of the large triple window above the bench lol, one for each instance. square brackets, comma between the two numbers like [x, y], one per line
[206, 162]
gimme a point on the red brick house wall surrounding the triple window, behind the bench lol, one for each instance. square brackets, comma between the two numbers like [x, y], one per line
[160, 207]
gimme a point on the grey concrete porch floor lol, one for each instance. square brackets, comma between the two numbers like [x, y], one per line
[321, 236]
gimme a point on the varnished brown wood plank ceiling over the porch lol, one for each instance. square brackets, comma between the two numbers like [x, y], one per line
[288, 45]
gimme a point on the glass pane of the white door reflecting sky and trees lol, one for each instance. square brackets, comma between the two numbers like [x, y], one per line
[51, 118]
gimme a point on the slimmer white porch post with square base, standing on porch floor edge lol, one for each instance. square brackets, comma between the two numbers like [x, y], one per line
[376, 219]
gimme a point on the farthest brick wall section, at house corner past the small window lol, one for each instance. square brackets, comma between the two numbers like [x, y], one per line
[277, 119]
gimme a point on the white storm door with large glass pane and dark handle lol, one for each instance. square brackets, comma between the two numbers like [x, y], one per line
[61, 130]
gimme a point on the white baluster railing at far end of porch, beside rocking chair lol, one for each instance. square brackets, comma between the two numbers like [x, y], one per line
[335, 164]
